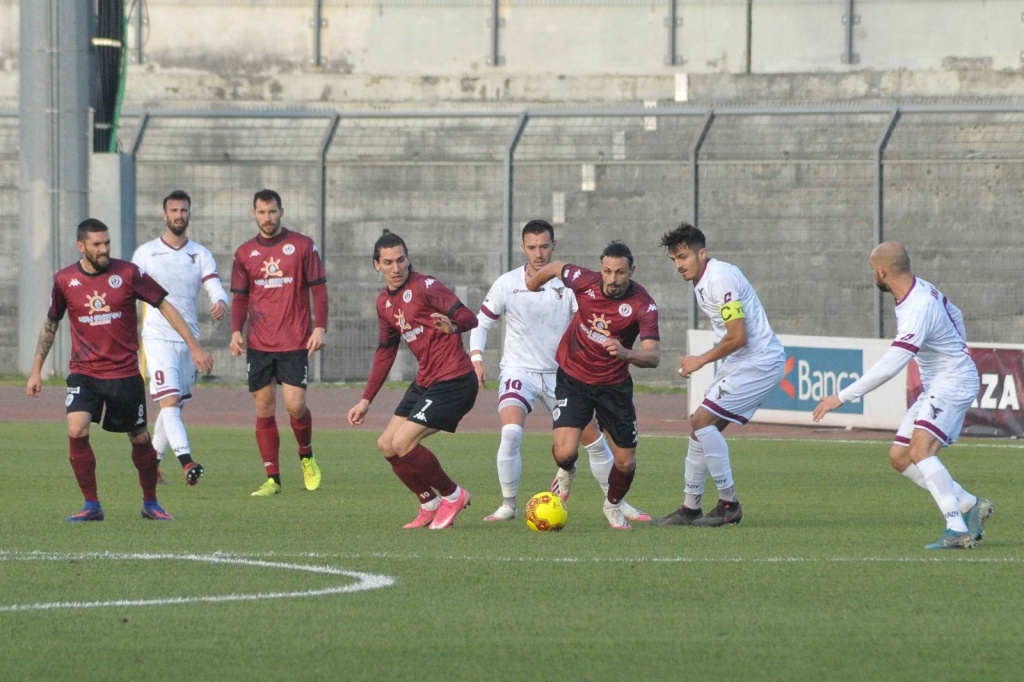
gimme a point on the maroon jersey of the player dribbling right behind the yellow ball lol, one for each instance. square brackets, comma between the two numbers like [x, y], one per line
[581, 354]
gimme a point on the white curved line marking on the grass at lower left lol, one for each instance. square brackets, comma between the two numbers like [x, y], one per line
[363, 582]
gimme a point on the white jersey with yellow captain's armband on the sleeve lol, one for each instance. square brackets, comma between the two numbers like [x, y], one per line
[718, 290]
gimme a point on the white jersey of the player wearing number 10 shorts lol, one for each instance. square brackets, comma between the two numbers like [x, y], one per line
[535, 322]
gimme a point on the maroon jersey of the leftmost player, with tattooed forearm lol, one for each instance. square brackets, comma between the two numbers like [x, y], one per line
[102, 311]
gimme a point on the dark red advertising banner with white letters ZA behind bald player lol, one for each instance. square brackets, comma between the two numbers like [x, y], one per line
[998, 410]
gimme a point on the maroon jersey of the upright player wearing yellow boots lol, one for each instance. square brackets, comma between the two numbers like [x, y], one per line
[276, 276]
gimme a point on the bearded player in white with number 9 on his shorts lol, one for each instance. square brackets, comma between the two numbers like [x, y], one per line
[183, 267]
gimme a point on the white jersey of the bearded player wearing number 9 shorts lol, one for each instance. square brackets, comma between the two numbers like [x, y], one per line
[182, 272]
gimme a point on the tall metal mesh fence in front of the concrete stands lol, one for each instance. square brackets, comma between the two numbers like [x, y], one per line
[796, 197]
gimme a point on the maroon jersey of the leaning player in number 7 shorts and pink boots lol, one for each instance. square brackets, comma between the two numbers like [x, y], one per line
[406, 315]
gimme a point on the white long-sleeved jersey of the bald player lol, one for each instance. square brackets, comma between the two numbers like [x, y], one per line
[931, 328]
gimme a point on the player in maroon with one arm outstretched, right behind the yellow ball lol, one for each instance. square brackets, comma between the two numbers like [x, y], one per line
[594, 357]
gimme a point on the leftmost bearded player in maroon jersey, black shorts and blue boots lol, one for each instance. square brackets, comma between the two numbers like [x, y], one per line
[105, 387]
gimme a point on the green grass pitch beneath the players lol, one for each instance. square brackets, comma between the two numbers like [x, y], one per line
[826, 578]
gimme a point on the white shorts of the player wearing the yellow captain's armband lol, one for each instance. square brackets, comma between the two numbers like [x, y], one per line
[740, 389]
